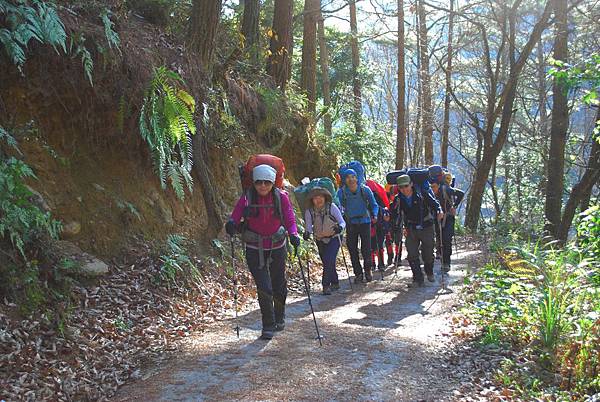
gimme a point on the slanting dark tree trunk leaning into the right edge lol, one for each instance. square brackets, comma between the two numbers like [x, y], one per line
[581, 190]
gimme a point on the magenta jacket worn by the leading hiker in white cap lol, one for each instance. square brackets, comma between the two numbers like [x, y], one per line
[267, 222]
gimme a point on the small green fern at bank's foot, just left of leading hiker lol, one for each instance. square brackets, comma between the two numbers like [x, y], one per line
[177, 268]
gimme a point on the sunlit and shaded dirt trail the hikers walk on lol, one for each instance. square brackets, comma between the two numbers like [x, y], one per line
[381, 343]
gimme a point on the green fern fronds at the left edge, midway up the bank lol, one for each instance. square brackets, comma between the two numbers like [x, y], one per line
[20, 219]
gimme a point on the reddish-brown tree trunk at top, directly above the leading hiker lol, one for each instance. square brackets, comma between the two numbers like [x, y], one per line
[280, 58]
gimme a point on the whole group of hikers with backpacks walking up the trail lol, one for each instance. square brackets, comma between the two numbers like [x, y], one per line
[417, 204]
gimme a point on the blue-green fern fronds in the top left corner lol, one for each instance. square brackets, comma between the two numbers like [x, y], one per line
[26, 21]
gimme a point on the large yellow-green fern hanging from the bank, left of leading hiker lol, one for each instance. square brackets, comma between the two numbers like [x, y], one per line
[167, 125]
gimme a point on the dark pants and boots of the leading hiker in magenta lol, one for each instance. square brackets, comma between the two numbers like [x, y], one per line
[271, 284]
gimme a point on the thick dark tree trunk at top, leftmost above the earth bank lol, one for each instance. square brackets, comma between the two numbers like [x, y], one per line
[204, 21]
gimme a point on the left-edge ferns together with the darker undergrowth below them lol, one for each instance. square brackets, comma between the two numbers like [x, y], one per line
[33, 285]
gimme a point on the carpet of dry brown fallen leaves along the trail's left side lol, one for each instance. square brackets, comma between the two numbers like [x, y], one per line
[120, 321]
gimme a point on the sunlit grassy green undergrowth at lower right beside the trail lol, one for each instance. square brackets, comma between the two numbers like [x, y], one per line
[544, 304]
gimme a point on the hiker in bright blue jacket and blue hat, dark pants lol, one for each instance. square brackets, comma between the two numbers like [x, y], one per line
[360, 211]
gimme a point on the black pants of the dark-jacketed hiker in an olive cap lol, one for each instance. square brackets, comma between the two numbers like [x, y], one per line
[420, 240]
